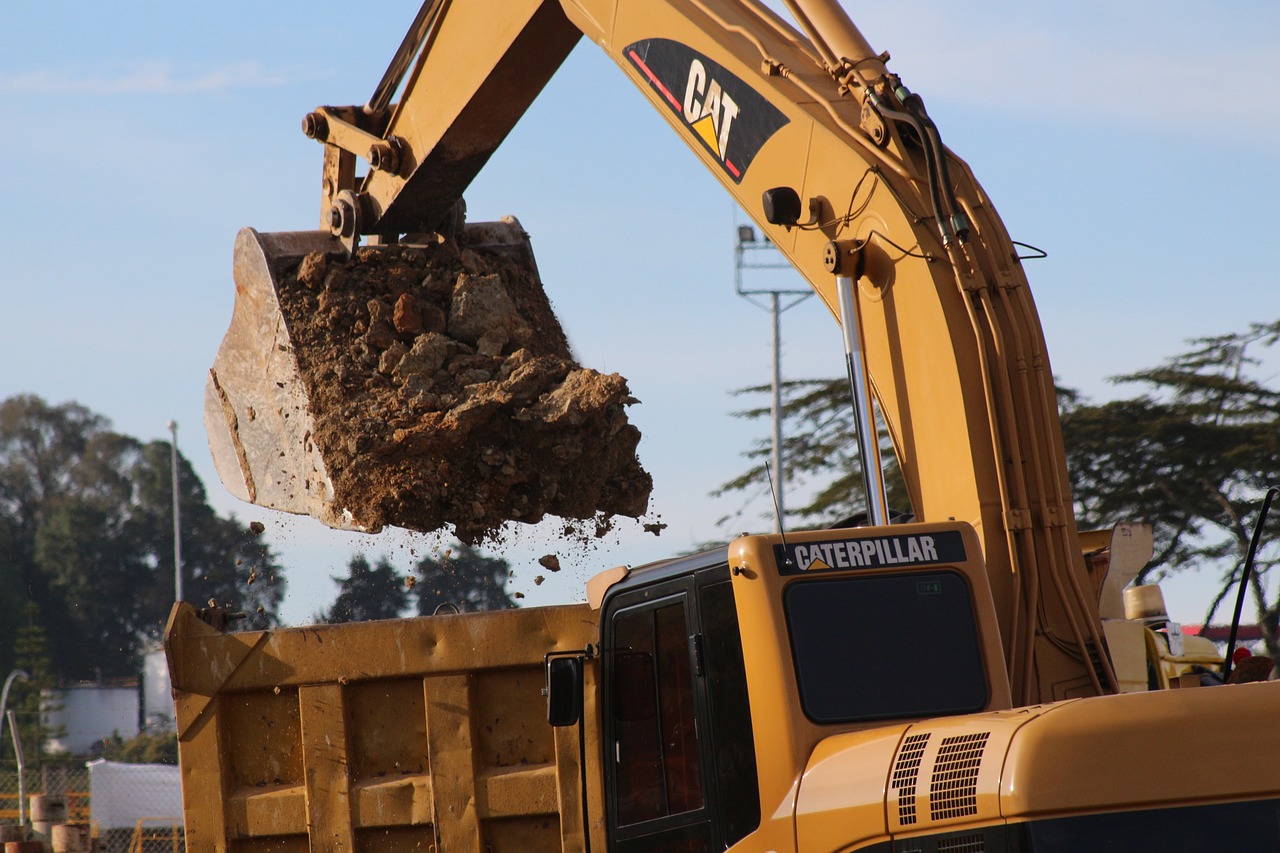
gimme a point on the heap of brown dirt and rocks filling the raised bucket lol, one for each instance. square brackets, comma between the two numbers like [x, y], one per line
[445, 394]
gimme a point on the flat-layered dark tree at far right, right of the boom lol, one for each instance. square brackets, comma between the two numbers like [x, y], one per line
[1192, 458]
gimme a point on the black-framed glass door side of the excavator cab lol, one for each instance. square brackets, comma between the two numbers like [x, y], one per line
[665, 731]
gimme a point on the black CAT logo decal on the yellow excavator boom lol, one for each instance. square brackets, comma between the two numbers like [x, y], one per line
[728, 117]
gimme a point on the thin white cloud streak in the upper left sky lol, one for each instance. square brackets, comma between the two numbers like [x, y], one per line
[150, 79]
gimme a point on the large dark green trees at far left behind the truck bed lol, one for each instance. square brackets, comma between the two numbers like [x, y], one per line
[86, 536]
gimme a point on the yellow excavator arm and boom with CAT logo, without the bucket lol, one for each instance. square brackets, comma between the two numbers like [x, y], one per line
[843, 170]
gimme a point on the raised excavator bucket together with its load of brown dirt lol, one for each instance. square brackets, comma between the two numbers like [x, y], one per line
[417, 386]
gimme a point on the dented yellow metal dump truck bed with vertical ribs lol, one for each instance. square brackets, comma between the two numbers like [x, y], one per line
[381, 737]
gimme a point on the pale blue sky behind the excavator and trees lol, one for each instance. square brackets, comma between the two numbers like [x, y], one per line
[1136, 143]
